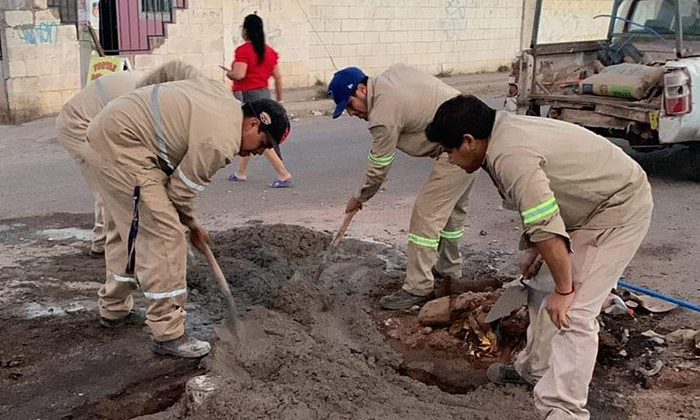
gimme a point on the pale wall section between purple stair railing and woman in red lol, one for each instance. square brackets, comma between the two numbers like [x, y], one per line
[196, 37]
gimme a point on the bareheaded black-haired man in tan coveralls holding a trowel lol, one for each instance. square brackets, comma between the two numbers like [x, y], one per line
[585, 207]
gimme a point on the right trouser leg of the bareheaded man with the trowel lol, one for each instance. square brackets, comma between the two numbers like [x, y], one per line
[599, 257]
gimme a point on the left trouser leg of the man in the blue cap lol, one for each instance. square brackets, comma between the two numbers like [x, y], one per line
[436, 202]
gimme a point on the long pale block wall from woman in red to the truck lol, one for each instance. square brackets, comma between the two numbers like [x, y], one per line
[438, 36]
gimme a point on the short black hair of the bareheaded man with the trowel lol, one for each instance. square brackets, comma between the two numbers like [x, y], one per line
[464, 114]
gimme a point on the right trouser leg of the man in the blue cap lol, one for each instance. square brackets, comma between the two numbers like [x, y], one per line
[449, 262]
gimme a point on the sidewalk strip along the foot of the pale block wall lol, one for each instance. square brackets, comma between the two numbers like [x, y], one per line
[304, 102]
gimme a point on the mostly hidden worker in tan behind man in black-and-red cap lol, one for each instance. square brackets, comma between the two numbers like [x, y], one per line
[72, 123]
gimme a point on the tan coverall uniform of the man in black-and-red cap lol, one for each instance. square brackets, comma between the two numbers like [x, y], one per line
[169, 139]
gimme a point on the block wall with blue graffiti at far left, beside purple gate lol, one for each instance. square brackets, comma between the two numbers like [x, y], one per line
[40, 60]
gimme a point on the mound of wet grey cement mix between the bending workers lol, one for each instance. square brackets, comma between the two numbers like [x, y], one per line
[270, 270]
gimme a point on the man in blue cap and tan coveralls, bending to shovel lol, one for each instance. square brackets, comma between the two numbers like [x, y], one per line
[398, 105]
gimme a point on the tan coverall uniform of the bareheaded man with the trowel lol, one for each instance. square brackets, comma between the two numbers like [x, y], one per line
[567, 181]
